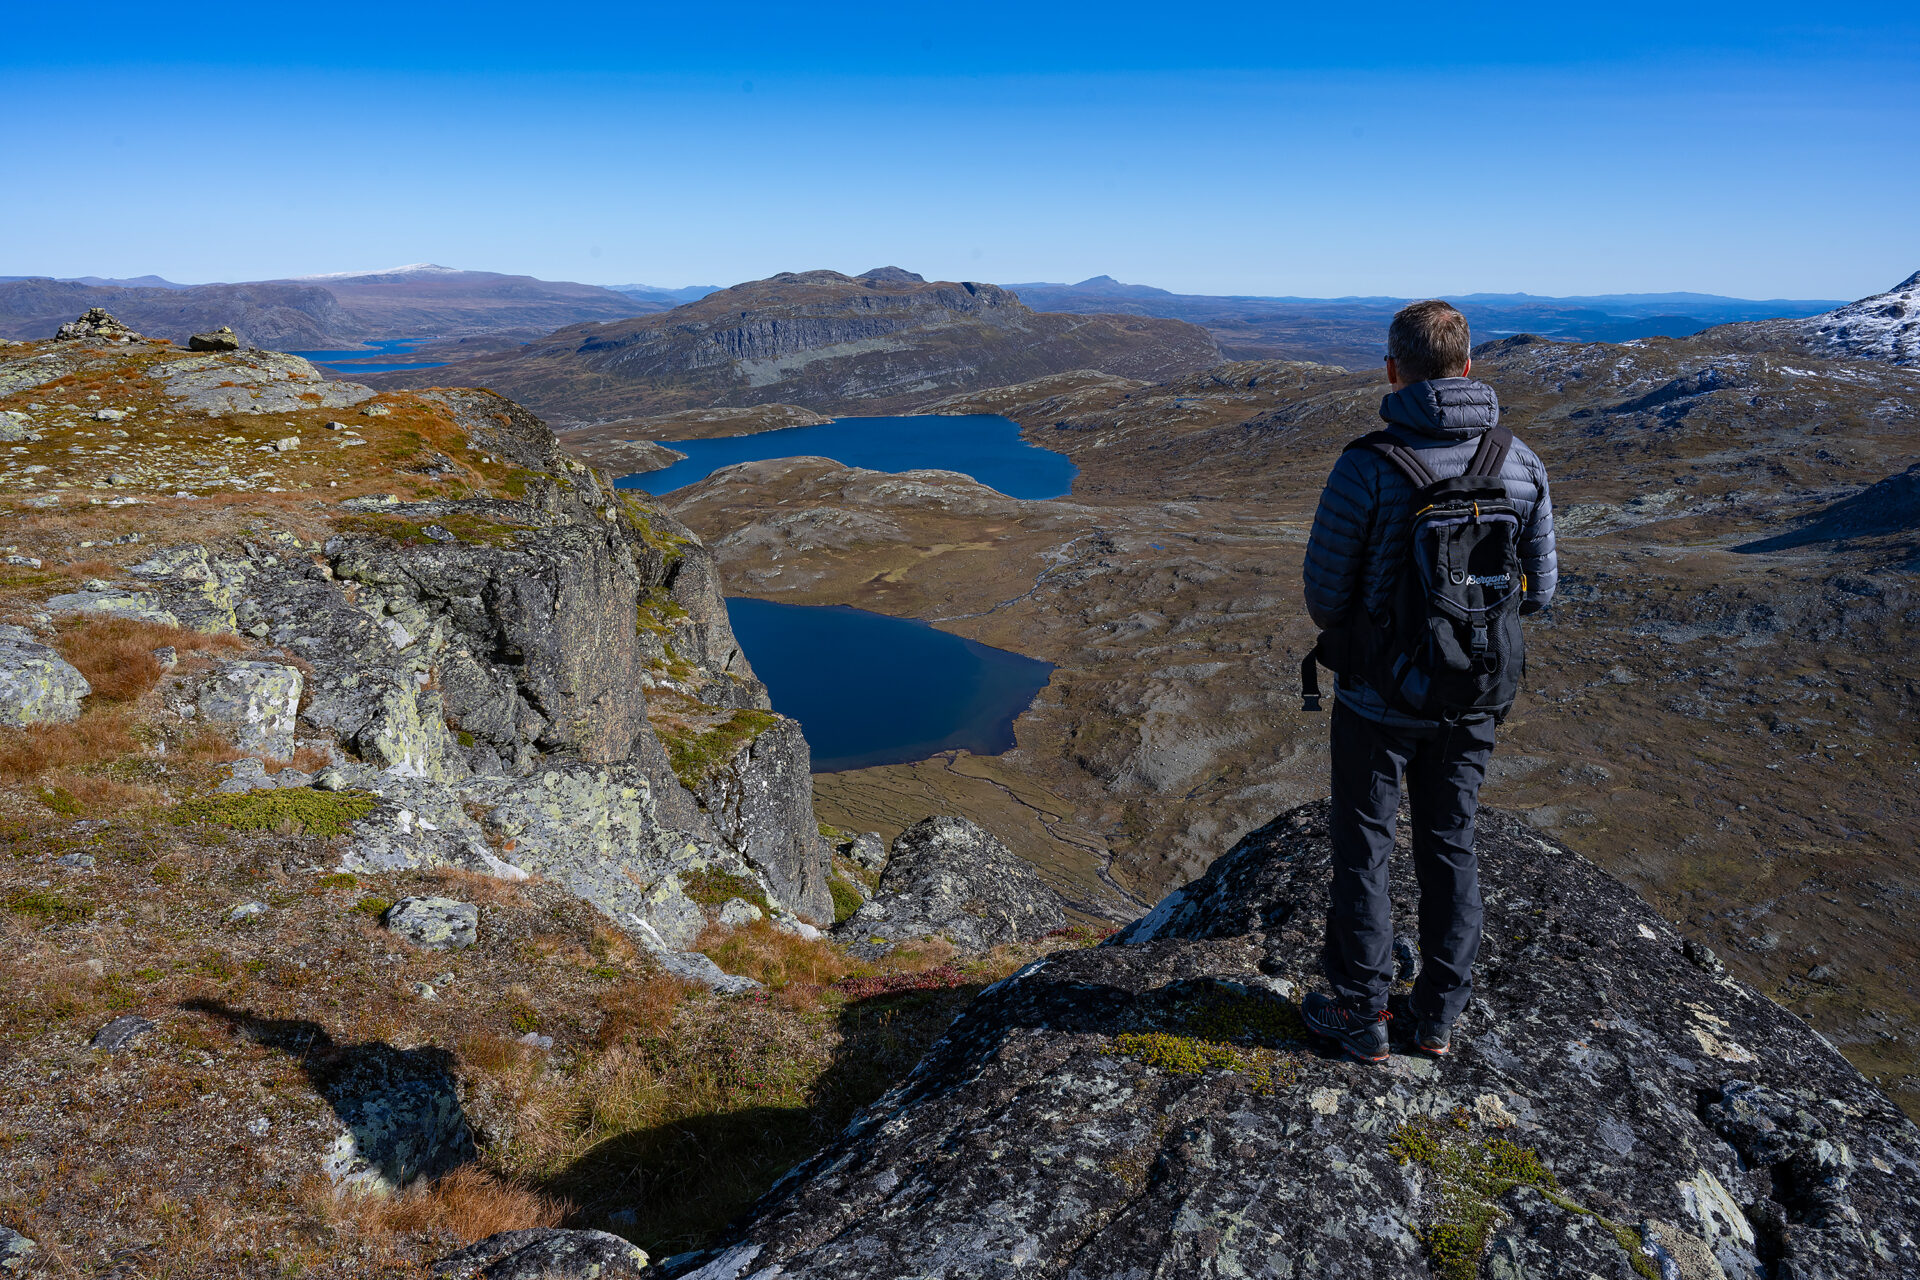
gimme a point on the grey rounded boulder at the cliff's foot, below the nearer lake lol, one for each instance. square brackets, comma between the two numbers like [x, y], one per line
[953, 880]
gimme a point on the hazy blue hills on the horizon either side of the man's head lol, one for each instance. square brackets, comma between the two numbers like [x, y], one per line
[1353, 331]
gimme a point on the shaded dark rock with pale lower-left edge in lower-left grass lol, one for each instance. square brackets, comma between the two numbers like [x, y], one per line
[400, 1112]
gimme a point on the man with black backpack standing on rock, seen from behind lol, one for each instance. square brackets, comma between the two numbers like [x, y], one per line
[1431, 540]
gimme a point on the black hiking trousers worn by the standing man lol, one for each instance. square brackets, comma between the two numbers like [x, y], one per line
[1443, 770]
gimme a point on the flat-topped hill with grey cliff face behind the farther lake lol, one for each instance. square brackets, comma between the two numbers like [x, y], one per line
[880, 343]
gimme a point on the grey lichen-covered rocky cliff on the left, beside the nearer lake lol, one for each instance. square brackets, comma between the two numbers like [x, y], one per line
[535, 680]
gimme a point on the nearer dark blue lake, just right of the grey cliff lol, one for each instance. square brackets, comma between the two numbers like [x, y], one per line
[873, 690]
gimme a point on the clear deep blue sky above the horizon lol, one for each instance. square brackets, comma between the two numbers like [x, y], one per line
[1760, 151]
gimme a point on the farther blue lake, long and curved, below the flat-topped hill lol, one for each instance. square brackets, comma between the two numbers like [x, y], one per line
[984, 446]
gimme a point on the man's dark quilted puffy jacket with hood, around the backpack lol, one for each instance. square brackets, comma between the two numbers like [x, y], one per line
[1360, 531]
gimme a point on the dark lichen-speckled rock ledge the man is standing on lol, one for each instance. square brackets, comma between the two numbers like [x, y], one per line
[1616, 1106]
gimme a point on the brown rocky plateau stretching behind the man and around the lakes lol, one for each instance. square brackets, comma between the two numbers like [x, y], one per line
[1719, 709]
